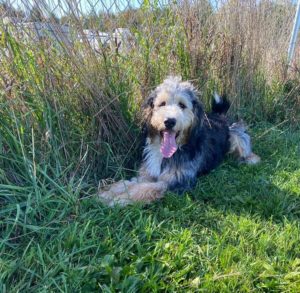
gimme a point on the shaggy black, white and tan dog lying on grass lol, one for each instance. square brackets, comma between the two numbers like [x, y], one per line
[182, 142]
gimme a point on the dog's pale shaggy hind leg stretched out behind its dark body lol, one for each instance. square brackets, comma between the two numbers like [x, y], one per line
[240, 144]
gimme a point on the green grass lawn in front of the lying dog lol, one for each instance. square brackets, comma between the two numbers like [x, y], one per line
[238, 231]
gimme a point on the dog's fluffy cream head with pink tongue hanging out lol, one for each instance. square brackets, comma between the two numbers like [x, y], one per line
[171, 112]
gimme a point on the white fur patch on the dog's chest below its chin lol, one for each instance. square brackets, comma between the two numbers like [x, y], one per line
[153, 157]
